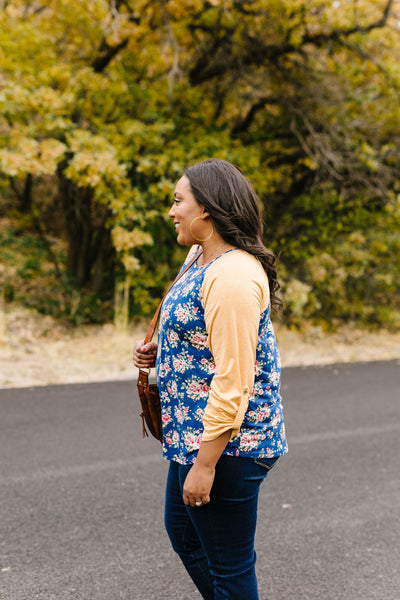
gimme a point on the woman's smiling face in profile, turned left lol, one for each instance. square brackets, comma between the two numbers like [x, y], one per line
[184, 209]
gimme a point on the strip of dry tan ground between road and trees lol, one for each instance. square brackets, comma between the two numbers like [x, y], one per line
[37, 350]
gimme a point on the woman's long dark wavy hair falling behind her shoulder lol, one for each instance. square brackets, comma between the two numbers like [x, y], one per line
[223, 190]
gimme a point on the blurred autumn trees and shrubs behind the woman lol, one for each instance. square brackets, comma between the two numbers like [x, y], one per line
[104, 103]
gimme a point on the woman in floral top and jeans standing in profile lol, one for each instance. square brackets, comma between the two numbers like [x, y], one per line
[218, 371]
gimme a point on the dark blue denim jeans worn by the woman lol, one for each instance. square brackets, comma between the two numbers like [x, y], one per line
[216, 541]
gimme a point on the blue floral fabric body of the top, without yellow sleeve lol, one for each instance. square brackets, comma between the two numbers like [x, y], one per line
[185, 369]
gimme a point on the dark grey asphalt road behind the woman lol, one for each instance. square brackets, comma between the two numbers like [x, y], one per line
[81, 494]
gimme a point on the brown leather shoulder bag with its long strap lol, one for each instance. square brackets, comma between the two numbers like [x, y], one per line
[149, 395]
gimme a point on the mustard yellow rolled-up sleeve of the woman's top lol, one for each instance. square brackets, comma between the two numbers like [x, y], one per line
[235, 293]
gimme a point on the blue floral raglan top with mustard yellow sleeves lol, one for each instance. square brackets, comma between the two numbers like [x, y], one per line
[218, 364]
